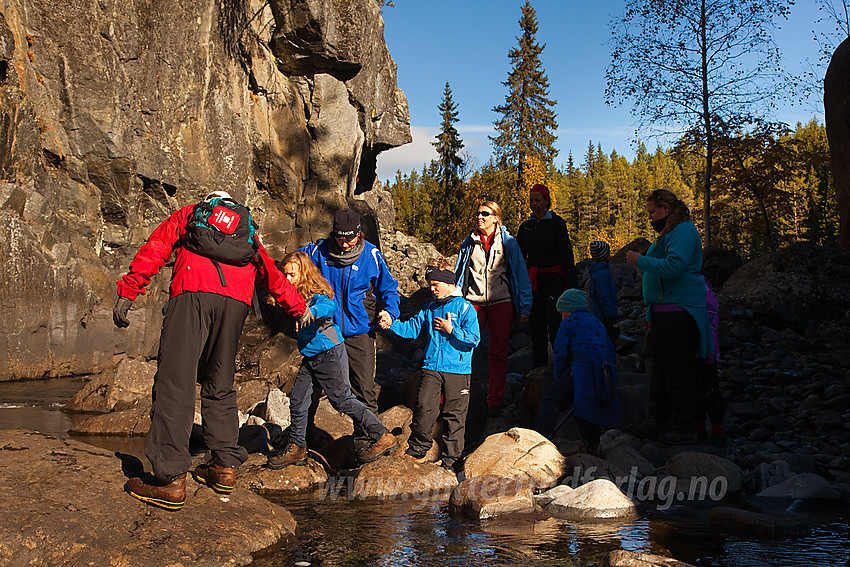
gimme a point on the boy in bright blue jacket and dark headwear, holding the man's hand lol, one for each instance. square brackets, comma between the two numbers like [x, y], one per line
[452, 326]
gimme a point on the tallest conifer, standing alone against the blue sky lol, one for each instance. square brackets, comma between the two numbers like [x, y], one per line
[526, 128]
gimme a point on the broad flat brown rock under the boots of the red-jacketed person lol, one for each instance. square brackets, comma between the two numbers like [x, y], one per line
[46, 523]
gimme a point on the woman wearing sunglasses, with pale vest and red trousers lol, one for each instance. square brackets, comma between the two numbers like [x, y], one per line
[491, 275]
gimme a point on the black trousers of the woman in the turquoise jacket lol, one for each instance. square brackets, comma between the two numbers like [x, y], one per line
[673, 387]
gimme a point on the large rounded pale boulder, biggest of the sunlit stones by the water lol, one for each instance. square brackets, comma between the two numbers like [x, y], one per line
[520, 454]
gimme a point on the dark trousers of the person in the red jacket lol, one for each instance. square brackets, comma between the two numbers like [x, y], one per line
[200, 335]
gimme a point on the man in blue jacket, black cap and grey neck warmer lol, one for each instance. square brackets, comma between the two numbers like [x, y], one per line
[362, 285]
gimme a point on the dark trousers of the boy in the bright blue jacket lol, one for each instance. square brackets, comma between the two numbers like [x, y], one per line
[454, 390]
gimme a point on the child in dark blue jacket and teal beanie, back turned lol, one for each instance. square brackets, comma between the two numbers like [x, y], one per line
[585, 373]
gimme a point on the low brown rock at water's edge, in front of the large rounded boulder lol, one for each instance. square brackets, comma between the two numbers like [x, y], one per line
[490, 496]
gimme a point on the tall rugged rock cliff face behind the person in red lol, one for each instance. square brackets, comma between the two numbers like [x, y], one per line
[113, 114]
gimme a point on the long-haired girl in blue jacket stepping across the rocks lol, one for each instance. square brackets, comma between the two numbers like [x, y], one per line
[325, 360]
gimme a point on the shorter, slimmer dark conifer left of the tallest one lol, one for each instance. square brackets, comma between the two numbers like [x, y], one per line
[446, 207]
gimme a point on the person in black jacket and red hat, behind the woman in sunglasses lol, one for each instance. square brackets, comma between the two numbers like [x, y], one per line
[548, 253]
